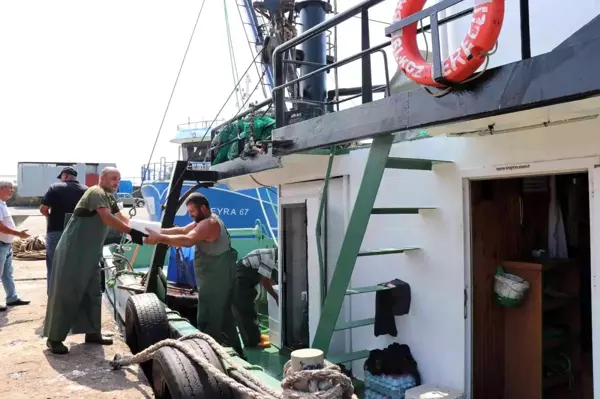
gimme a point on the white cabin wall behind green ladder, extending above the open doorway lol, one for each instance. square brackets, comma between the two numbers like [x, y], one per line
[435, 327]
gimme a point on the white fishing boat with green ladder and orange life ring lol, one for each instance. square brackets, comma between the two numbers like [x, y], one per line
[450, 226]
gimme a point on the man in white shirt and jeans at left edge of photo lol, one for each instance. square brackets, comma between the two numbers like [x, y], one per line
[8, 232]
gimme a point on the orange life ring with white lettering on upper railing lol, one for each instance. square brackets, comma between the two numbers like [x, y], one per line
[486, 24]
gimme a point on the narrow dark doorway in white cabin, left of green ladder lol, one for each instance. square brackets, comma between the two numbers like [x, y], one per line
[295, 276]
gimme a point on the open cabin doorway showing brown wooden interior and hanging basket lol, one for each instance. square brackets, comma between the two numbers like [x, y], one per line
[538, 229]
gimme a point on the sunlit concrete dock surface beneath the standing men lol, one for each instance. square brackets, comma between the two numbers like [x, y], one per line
[28, 370]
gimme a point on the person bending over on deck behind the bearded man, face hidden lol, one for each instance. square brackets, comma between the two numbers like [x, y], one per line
[258, 267]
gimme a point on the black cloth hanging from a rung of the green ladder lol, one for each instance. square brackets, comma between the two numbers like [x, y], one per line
[390, 303]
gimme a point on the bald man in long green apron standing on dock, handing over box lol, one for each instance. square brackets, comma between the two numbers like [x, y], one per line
[75, 299]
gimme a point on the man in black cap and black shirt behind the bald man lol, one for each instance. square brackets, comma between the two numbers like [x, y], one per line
[60, 200]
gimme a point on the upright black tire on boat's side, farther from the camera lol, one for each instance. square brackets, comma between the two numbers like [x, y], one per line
[146, 323]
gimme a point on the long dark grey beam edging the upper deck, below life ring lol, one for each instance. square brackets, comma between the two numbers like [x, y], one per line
[568, 73]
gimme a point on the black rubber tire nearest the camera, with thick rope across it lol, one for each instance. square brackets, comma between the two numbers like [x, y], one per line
[175, 376]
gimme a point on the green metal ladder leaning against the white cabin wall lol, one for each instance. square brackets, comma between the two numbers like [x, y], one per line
[377, 161]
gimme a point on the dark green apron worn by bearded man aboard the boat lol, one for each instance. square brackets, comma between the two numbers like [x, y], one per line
[214, 267]
